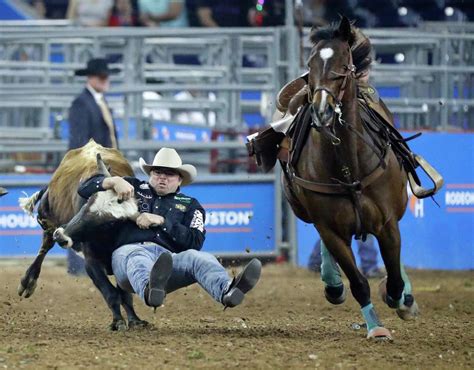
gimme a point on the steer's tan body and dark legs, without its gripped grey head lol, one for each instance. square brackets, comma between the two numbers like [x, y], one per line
[58, 204]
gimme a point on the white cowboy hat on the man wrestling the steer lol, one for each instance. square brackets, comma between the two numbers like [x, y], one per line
[169, 158]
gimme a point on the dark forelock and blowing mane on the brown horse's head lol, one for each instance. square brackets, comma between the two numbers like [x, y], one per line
[360, 44]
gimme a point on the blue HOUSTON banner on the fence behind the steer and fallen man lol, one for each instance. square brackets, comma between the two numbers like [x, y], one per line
[239, 219]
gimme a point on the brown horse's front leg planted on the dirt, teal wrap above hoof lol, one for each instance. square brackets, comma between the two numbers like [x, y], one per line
[342, 253]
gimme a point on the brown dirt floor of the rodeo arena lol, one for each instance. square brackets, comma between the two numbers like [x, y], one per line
[284, 323]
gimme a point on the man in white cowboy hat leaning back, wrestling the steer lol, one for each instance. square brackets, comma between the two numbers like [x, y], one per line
[160, 252]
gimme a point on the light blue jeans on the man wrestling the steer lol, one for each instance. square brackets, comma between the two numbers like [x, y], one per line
[132, 264]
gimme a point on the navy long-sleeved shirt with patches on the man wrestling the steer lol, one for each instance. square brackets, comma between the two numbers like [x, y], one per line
[184, 217]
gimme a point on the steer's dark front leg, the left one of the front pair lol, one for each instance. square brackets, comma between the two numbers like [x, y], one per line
[96, 272]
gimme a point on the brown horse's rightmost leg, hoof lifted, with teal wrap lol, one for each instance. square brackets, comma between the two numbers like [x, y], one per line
[395, 289]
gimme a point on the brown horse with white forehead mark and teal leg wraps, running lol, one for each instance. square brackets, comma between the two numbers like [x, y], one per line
[345, 179]
